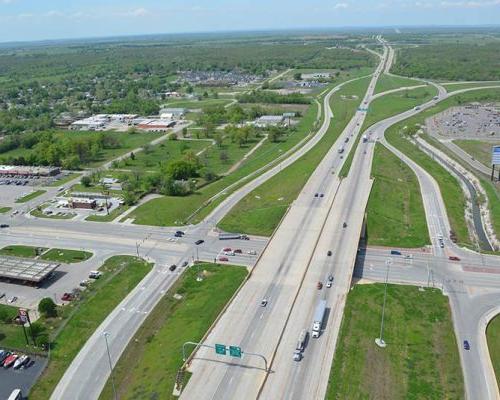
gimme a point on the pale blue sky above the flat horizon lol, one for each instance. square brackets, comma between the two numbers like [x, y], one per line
[22, 20]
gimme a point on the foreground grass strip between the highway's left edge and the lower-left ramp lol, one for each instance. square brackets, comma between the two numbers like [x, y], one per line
[147, 369]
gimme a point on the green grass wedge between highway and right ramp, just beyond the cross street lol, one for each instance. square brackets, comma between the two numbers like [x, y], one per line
[396, 215]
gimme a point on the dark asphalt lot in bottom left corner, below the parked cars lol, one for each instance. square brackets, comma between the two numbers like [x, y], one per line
[23, 379]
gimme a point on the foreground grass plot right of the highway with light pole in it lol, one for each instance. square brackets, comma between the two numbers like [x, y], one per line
[421, 360]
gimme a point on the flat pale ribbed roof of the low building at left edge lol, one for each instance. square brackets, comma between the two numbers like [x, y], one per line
[25, 269]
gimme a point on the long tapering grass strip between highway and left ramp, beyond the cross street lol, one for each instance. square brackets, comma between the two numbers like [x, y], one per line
[261, 210]
